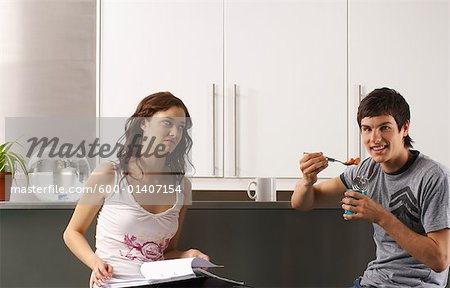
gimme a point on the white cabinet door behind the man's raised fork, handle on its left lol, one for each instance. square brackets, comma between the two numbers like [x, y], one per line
[286, 66]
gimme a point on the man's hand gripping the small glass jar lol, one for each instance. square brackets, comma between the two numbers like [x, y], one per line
[363, 207]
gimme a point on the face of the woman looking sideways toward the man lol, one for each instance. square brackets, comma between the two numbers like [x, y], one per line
[165, 128]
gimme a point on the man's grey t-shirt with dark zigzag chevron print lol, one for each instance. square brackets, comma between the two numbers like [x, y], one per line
[419, 196]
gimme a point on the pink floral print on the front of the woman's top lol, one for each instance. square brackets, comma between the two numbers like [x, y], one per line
[146, 251]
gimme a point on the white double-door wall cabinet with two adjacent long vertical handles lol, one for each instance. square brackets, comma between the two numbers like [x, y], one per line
[278, 68]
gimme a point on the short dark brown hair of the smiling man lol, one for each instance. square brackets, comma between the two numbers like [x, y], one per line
[386, 101]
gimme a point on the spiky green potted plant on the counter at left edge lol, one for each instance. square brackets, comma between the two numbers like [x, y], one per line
[10, 164]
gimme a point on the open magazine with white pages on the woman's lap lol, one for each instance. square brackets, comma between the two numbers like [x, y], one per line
[169, 270]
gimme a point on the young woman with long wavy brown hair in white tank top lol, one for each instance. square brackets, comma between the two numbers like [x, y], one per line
[141, 219]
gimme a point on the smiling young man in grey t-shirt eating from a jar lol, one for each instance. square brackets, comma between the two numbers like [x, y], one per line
[408, 198]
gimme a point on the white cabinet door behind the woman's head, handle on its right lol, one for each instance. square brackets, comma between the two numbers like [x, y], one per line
[149, 46]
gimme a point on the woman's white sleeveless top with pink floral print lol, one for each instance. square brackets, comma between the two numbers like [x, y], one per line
[127, 235]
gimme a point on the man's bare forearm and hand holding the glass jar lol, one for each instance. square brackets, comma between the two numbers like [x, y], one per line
[432, 250]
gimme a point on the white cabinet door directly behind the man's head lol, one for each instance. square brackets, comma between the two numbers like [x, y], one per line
[404, 45]
